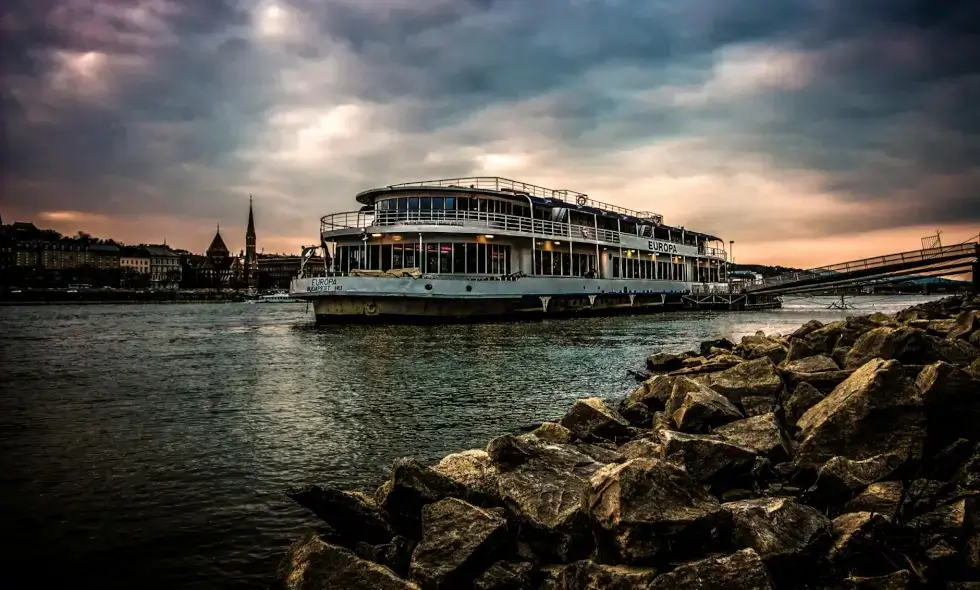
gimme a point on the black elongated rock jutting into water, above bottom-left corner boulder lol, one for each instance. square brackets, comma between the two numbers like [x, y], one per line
[353, 516]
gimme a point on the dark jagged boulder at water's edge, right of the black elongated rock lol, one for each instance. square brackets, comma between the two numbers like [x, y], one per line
[410, 487]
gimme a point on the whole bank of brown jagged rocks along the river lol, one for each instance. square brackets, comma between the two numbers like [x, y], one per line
[844, 455]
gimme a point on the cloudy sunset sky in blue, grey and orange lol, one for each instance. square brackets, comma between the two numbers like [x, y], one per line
[808, 131]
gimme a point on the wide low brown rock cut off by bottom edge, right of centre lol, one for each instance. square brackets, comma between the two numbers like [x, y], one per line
[743, 570]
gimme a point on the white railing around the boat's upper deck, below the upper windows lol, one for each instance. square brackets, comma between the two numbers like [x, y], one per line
[487, 222]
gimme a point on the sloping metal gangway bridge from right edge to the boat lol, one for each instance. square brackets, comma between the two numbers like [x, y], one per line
[878, 270]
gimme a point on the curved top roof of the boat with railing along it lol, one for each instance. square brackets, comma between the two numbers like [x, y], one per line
[538, 195]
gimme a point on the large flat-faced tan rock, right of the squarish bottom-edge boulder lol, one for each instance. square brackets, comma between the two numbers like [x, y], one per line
[545, 487]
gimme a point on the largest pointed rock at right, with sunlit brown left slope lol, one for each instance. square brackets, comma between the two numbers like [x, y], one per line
[875, 411]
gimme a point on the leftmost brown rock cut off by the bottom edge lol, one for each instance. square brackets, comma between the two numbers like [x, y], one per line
[312, 564]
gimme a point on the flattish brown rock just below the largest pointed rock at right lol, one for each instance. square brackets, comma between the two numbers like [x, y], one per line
[840, 478]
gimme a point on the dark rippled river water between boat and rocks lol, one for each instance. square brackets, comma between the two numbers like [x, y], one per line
[149, 446]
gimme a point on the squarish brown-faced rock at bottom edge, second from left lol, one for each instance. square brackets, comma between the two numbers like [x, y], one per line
[459, 541]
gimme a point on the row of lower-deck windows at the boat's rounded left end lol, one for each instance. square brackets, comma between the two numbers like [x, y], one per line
[432, 258]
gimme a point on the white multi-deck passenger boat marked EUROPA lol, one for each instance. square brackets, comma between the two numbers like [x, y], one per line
[490, 248]
